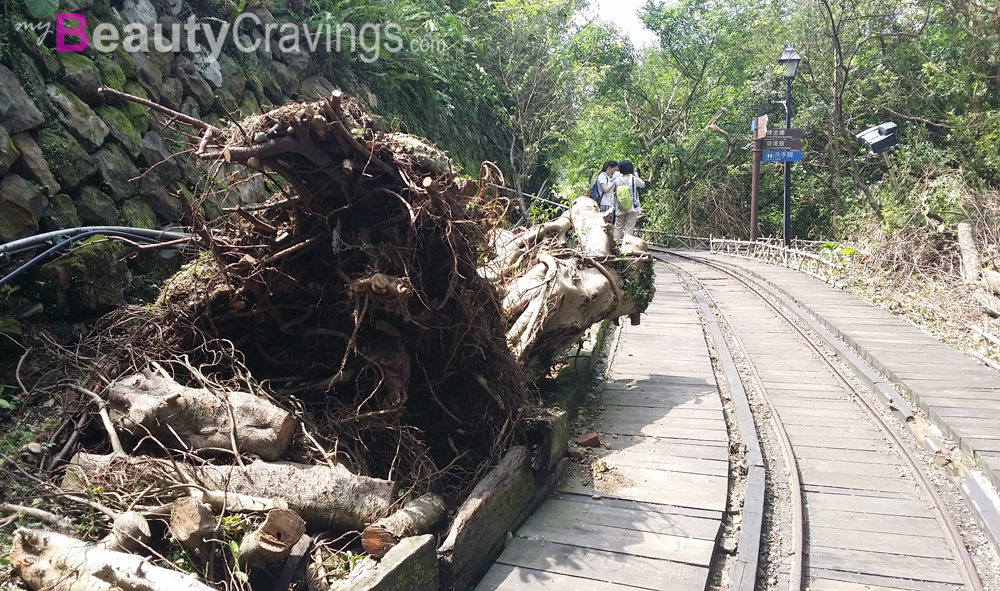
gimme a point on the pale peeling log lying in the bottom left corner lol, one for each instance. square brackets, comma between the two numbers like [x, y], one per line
[56, 562]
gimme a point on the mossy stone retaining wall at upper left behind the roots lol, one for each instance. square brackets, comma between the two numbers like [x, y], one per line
[70, 157]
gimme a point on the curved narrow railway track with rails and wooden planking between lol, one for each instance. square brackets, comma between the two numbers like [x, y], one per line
[863, 514]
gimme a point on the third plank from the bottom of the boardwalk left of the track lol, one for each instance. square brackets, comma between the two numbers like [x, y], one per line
[623, 541]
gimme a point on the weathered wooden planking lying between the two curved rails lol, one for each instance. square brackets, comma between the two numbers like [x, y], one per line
[868, 524]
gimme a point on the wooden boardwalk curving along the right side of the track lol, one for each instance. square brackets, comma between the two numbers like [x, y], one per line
[959, 395]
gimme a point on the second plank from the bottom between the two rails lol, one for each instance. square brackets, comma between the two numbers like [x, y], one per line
[934, 570]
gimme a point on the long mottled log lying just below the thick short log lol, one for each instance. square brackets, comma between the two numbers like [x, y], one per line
[327, 498]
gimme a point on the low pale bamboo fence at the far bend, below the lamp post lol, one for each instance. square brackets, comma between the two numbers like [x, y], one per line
[822, 263]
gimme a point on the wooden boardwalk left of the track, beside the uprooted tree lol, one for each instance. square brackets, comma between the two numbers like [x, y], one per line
[657, 528]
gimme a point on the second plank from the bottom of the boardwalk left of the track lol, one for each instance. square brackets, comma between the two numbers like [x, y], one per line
[588, 563]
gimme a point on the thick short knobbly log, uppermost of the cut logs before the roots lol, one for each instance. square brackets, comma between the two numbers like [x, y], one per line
[196, 418]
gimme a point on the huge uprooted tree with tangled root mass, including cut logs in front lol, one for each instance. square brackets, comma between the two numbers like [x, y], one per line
[374, 309]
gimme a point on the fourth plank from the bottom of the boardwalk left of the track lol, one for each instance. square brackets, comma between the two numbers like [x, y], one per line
[555, 512]
